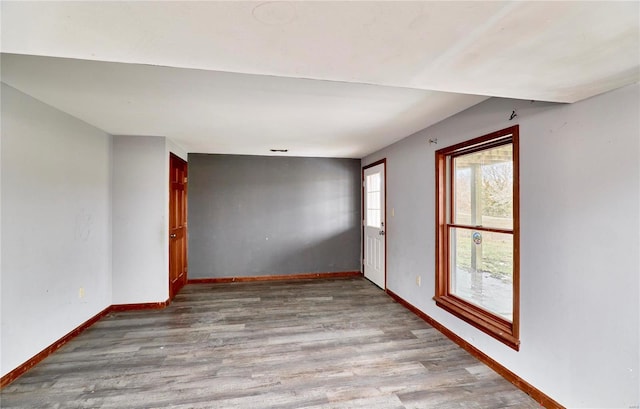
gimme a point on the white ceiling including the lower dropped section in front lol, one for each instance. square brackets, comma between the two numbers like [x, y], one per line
[339, 79]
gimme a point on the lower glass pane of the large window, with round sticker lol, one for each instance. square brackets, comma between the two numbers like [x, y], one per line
[482, 269]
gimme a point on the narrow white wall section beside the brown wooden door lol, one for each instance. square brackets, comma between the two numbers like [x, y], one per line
[140, 274]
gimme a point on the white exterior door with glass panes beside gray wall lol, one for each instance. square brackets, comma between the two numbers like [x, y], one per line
[374, 224]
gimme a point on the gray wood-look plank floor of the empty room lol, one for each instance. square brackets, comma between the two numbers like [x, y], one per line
[335, 343]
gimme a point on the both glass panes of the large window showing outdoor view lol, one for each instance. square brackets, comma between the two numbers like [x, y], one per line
[483, 259]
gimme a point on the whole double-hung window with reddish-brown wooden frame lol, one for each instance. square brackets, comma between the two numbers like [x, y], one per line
[477, 220]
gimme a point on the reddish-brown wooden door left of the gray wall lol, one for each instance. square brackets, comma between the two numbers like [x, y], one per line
[177, 225]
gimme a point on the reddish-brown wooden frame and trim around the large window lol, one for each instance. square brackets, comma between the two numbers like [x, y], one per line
[503, 330]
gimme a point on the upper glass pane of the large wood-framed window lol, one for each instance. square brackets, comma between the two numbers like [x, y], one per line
[483, 188]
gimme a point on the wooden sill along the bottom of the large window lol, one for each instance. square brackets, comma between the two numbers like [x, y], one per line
[484, 321]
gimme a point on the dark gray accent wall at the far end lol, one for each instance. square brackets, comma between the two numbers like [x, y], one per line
[265, 215]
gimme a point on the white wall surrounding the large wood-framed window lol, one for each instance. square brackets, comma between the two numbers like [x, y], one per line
[580, 241]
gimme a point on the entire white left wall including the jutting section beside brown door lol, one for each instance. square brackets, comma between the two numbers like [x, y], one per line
[62, 181]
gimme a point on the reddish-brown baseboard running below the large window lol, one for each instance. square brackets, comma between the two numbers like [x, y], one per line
[520, 383]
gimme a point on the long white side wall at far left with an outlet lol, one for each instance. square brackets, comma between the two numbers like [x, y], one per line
[55, 224]
